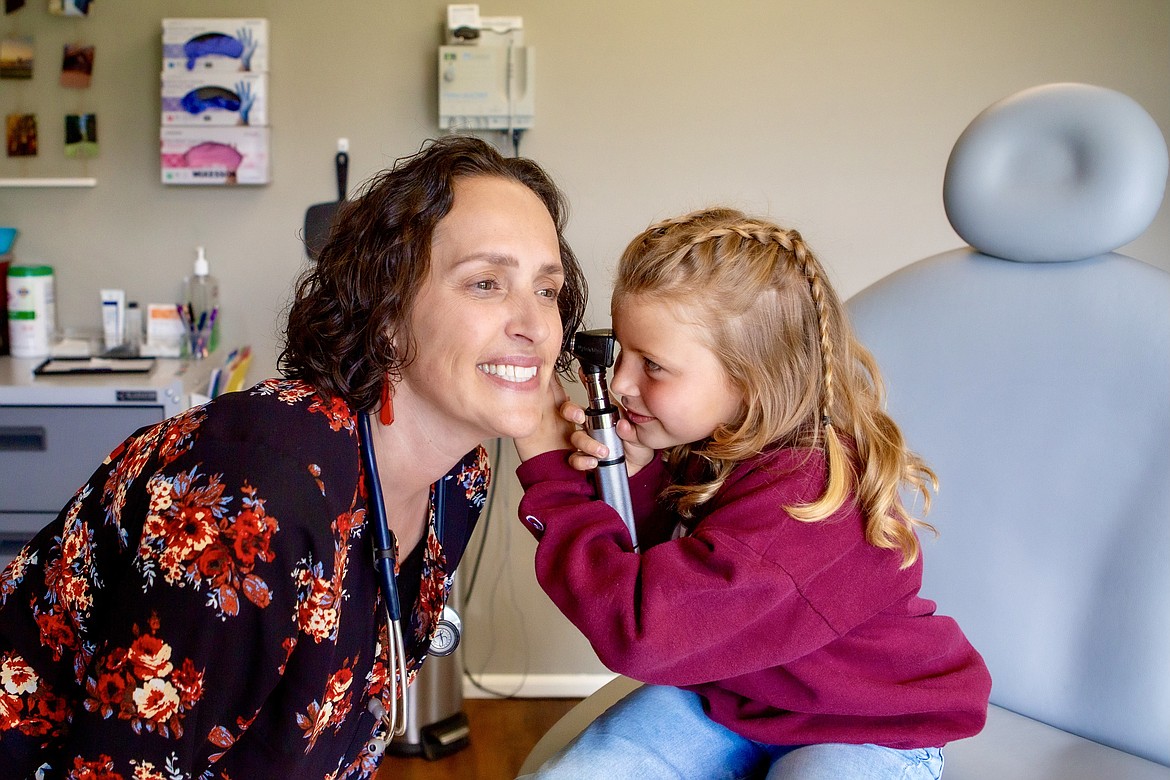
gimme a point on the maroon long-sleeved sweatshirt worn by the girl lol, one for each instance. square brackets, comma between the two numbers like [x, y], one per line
[794, 633]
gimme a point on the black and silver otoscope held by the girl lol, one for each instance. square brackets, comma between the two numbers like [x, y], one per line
[595, 353]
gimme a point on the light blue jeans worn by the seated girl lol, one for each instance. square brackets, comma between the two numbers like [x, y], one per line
[663, 734]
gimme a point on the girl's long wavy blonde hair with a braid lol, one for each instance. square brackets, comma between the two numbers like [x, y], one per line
[781, 333]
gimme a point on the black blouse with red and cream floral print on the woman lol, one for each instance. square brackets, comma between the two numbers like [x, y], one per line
[205, 608]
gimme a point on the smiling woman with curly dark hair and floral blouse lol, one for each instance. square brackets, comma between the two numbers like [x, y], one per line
[207, 605]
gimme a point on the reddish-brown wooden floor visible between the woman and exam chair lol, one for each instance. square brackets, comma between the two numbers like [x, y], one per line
[504, 731]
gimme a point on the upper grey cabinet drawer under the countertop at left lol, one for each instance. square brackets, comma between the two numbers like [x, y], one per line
[49, 452]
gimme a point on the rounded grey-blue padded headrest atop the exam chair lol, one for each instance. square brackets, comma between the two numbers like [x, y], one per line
[1058, 172]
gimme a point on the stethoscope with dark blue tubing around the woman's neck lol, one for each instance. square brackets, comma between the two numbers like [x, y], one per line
[446, 638]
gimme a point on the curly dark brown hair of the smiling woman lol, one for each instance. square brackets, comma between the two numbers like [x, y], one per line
[357, 299]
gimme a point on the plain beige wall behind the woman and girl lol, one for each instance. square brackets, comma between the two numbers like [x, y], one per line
[835, 118]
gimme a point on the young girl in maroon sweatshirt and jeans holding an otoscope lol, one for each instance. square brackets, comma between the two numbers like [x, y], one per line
[774, 611]
